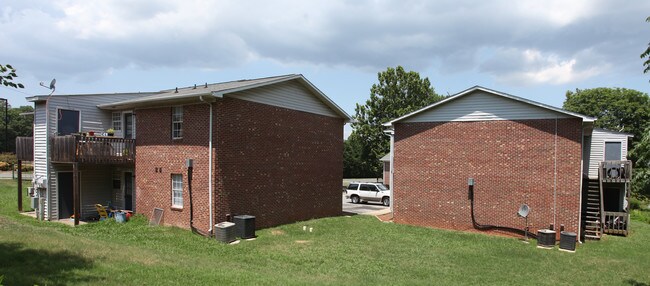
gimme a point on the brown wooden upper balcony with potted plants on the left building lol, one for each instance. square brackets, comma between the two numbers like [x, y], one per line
[92, 150]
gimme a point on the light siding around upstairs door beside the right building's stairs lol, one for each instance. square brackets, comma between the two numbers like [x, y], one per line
[597, 152]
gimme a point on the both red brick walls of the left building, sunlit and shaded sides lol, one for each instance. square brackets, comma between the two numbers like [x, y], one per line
[277, 164]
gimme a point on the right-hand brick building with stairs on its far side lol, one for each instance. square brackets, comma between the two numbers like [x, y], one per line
[516, 151]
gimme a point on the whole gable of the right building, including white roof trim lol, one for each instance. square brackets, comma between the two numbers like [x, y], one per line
[482, 104]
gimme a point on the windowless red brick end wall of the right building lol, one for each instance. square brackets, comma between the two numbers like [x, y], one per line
[512, 163]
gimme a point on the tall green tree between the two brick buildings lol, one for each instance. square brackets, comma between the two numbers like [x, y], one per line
[397, 93]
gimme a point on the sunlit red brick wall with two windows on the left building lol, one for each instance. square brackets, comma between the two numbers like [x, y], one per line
[156, 149]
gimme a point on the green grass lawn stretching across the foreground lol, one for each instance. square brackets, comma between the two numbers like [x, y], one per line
[340, 251]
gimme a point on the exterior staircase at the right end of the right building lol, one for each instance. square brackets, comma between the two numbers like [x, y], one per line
[592, 212]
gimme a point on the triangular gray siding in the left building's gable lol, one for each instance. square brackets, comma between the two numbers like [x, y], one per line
[290, 95]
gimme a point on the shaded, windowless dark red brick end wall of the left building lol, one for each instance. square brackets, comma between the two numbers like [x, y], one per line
[277, 164]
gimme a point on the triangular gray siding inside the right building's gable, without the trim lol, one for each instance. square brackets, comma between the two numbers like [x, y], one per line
[483, 106]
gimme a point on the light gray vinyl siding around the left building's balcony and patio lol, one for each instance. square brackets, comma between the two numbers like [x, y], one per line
[91, 119]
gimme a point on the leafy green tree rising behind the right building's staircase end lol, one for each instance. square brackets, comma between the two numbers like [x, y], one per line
[617, 109]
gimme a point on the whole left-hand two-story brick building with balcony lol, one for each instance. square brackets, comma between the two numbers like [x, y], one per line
[269, 147]
